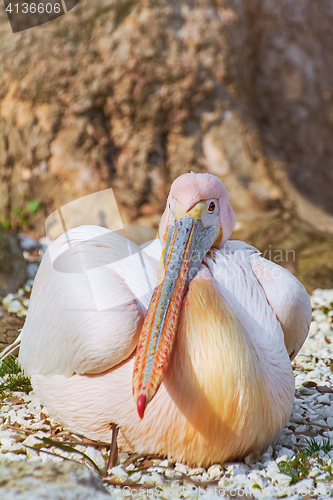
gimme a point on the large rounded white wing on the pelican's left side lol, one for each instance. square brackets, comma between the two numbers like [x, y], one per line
[88, 303]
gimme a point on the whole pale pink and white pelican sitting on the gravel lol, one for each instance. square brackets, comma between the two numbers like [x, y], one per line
[197, 366]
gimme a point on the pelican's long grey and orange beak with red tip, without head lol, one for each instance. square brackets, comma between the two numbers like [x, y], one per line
[187, 244]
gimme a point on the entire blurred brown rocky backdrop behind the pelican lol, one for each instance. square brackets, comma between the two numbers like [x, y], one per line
[129, 94]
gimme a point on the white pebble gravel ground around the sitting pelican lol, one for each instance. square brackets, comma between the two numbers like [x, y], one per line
[282, 471]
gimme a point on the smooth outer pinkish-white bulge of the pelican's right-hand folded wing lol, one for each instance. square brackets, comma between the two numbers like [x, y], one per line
[288, 299]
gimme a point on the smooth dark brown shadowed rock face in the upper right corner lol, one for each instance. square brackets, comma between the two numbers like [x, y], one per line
[283, 73]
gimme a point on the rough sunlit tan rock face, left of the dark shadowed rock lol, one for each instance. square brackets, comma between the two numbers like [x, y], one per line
[115, 93]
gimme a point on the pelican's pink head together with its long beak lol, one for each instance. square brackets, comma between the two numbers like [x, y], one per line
[198, 216]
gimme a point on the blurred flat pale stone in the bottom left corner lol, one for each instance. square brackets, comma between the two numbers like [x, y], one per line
[49, 481]
